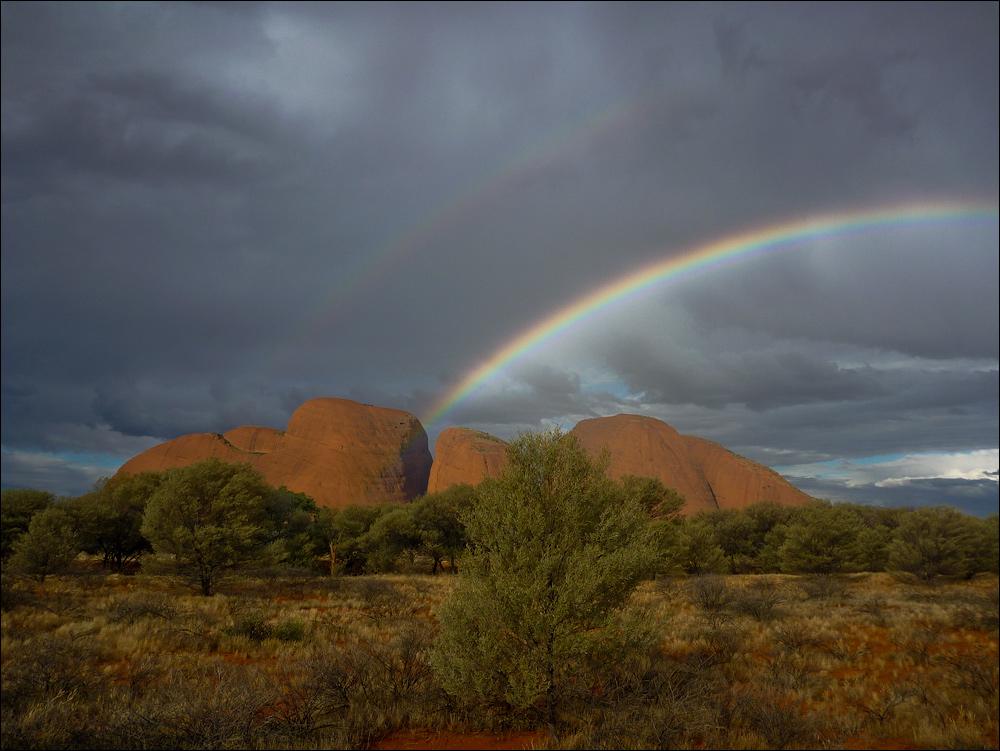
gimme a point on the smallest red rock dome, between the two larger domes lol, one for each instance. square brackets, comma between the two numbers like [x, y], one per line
[465, 455]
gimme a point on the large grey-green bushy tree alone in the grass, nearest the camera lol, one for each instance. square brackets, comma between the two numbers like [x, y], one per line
[556, 551]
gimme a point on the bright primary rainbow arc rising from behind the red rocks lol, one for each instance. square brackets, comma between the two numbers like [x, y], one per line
[703, 257]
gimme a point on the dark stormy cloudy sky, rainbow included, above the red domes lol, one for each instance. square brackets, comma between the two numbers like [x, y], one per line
[212, 212]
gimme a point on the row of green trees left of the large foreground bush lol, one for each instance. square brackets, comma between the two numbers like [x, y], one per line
[211, 517]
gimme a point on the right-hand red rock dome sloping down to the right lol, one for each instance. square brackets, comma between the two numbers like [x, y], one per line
[708, 475]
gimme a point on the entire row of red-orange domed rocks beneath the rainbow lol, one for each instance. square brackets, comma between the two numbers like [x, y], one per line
[340, 452]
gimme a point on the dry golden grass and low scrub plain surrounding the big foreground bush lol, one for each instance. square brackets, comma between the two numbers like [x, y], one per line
[300, 662]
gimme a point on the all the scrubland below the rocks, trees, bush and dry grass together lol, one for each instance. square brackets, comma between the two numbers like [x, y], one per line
[200, 608]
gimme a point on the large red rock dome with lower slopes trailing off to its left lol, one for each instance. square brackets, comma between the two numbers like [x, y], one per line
[334, 450]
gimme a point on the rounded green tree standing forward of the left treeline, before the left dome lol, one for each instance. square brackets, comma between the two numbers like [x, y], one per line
[209, 517]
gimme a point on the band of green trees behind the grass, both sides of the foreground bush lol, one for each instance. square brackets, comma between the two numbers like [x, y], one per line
[210, 517]
